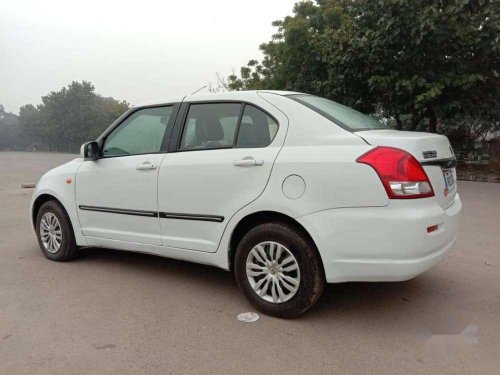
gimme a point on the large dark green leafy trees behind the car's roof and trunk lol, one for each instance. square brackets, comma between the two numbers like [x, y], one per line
[405, 59]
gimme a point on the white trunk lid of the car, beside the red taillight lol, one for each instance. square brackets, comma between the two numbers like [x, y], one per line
[433, 151]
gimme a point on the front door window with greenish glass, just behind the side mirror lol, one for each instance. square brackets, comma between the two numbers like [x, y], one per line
[140, 133]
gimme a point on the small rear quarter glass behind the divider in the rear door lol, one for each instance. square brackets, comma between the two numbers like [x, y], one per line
[257, 129]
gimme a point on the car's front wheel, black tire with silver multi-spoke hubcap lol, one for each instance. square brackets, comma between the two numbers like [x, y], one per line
[55, 232]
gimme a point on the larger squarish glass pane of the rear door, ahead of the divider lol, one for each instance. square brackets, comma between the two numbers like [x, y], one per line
[210, 126]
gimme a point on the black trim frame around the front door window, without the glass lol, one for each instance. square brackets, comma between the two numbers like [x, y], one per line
[101, 140]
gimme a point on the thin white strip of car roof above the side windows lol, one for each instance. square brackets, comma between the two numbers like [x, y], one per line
[229, 95]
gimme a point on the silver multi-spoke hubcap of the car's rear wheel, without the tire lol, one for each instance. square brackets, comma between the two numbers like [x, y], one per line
[273, 272]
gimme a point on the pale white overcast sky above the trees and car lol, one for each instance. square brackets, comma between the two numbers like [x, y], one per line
[132, 50]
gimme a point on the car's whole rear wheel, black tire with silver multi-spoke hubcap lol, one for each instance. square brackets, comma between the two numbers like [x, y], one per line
[289, 292]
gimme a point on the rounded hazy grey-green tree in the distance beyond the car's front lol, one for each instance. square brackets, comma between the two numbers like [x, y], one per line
[67, 118]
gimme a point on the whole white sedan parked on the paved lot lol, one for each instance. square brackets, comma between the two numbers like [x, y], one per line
[288, 190]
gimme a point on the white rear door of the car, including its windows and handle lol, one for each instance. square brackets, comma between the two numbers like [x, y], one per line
[221, 162]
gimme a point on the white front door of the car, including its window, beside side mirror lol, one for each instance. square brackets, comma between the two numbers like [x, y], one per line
[117, 194]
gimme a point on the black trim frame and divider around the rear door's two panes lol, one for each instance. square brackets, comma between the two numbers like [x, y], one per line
[175, 142]
